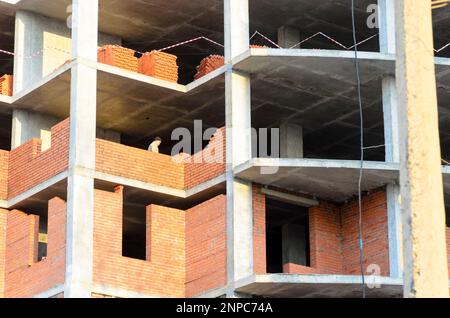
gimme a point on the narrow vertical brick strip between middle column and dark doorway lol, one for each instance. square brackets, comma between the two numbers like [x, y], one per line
[259, 231]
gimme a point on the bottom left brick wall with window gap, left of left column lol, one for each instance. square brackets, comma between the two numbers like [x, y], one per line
[25, 277]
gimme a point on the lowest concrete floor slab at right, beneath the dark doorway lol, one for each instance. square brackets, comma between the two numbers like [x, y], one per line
[317, 286]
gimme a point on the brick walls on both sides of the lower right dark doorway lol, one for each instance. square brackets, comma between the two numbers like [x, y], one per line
[334, 239]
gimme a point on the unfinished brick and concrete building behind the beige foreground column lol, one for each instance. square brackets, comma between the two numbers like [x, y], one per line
[86, 210]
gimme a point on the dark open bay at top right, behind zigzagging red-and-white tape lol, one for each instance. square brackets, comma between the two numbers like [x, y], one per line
[311, 17]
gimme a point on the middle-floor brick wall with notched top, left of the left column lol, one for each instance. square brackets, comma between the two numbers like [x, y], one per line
[28, 166]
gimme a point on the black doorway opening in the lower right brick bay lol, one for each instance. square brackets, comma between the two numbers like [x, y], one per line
[287, 235]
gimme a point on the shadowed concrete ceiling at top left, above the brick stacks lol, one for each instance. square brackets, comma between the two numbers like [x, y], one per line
[138, 20]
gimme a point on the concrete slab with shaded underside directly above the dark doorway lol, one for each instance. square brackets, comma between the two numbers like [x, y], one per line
[334, 180]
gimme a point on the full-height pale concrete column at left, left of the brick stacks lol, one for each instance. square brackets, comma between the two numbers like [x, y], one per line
[80, 196]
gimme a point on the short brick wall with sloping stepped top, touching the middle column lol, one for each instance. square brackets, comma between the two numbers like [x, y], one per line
[207, 164]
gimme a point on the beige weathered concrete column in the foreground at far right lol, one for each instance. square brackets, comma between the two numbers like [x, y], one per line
[423, 212]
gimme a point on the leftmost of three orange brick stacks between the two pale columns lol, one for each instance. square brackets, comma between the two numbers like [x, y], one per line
[118, 56]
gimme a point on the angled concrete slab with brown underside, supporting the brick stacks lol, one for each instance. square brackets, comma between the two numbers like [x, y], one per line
[134, 104]
